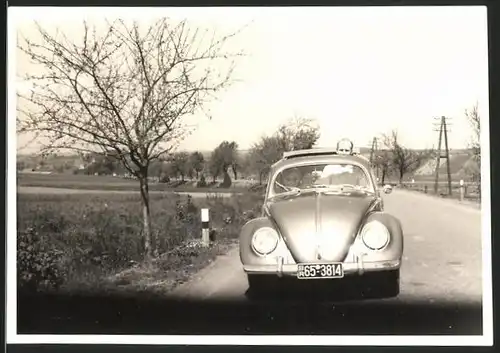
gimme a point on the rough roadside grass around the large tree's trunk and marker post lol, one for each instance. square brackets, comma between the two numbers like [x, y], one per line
[80, 243]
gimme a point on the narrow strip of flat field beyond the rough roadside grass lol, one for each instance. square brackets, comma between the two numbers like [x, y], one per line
[92, 182]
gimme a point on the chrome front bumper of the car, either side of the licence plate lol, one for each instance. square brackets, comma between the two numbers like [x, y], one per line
[350, 268]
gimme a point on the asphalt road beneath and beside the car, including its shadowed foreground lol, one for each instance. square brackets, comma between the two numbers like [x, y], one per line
[440, 278]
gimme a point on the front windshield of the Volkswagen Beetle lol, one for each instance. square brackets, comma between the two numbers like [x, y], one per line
[335, 177]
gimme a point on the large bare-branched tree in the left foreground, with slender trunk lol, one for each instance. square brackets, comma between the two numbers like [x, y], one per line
[124, 89]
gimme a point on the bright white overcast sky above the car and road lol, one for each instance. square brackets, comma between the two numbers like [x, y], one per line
[359, 71]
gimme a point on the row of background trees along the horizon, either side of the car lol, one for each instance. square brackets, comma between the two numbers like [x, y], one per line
[393, 159]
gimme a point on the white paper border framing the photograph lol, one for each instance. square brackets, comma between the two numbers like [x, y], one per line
[12, 337]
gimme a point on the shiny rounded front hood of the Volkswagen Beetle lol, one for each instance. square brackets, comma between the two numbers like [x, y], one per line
[319, 226]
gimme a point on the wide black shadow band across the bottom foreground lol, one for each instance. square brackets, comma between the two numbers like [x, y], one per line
[57, 314]
